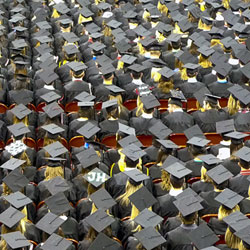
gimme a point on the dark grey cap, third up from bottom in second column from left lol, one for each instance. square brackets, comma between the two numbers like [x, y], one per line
[58, 203]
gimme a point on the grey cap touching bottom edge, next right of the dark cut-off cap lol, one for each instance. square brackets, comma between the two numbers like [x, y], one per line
[149, 238]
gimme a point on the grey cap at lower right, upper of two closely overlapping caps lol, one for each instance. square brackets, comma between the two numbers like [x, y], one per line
[188, 205]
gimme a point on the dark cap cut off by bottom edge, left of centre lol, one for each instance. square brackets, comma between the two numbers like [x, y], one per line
[104, 242]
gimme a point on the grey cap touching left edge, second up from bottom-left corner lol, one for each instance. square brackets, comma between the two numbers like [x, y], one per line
[11, 217]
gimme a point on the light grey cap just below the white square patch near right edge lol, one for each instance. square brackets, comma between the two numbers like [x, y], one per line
[219, 174]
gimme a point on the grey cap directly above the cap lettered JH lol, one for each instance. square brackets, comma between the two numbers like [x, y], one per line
[88, 157]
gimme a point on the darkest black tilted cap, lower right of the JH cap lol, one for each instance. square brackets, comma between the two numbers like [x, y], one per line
[142, 199]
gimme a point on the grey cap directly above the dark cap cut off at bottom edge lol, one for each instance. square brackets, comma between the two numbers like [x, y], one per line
[99, 220]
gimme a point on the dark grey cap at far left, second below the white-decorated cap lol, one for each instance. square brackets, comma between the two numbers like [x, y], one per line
[15, 180]
